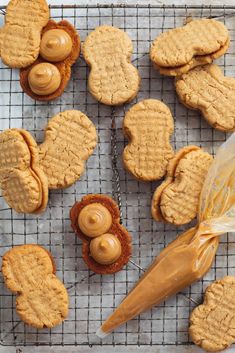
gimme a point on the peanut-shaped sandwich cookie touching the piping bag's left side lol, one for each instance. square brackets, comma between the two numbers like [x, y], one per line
[176, 200]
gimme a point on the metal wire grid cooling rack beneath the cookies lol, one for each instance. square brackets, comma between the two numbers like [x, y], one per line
[93, 297]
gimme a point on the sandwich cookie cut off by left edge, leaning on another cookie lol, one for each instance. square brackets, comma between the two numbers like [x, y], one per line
[24, 185]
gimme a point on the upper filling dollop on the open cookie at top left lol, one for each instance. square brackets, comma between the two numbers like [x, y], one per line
[56, 45]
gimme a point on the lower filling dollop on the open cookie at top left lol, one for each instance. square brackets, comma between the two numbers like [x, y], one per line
[44, 79]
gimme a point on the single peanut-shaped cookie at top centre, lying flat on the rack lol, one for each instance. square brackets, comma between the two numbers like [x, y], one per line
[113, 80]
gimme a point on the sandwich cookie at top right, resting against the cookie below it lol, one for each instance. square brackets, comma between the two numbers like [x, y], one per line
[180, 49]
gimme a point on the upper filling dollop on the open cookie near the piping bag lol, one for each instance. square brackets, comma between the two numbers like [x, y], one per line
[94, 220]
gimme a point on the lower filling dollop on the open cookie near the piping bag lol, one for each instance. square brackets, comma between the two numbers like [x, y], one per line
[105, 249]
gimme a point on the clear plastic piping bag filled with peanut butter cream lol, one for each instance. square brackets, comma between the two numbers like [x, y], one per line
[190, 256]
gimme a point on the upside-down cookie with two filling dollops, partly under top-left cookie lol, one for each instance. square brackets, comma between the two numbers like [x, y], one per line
[47, 78]
